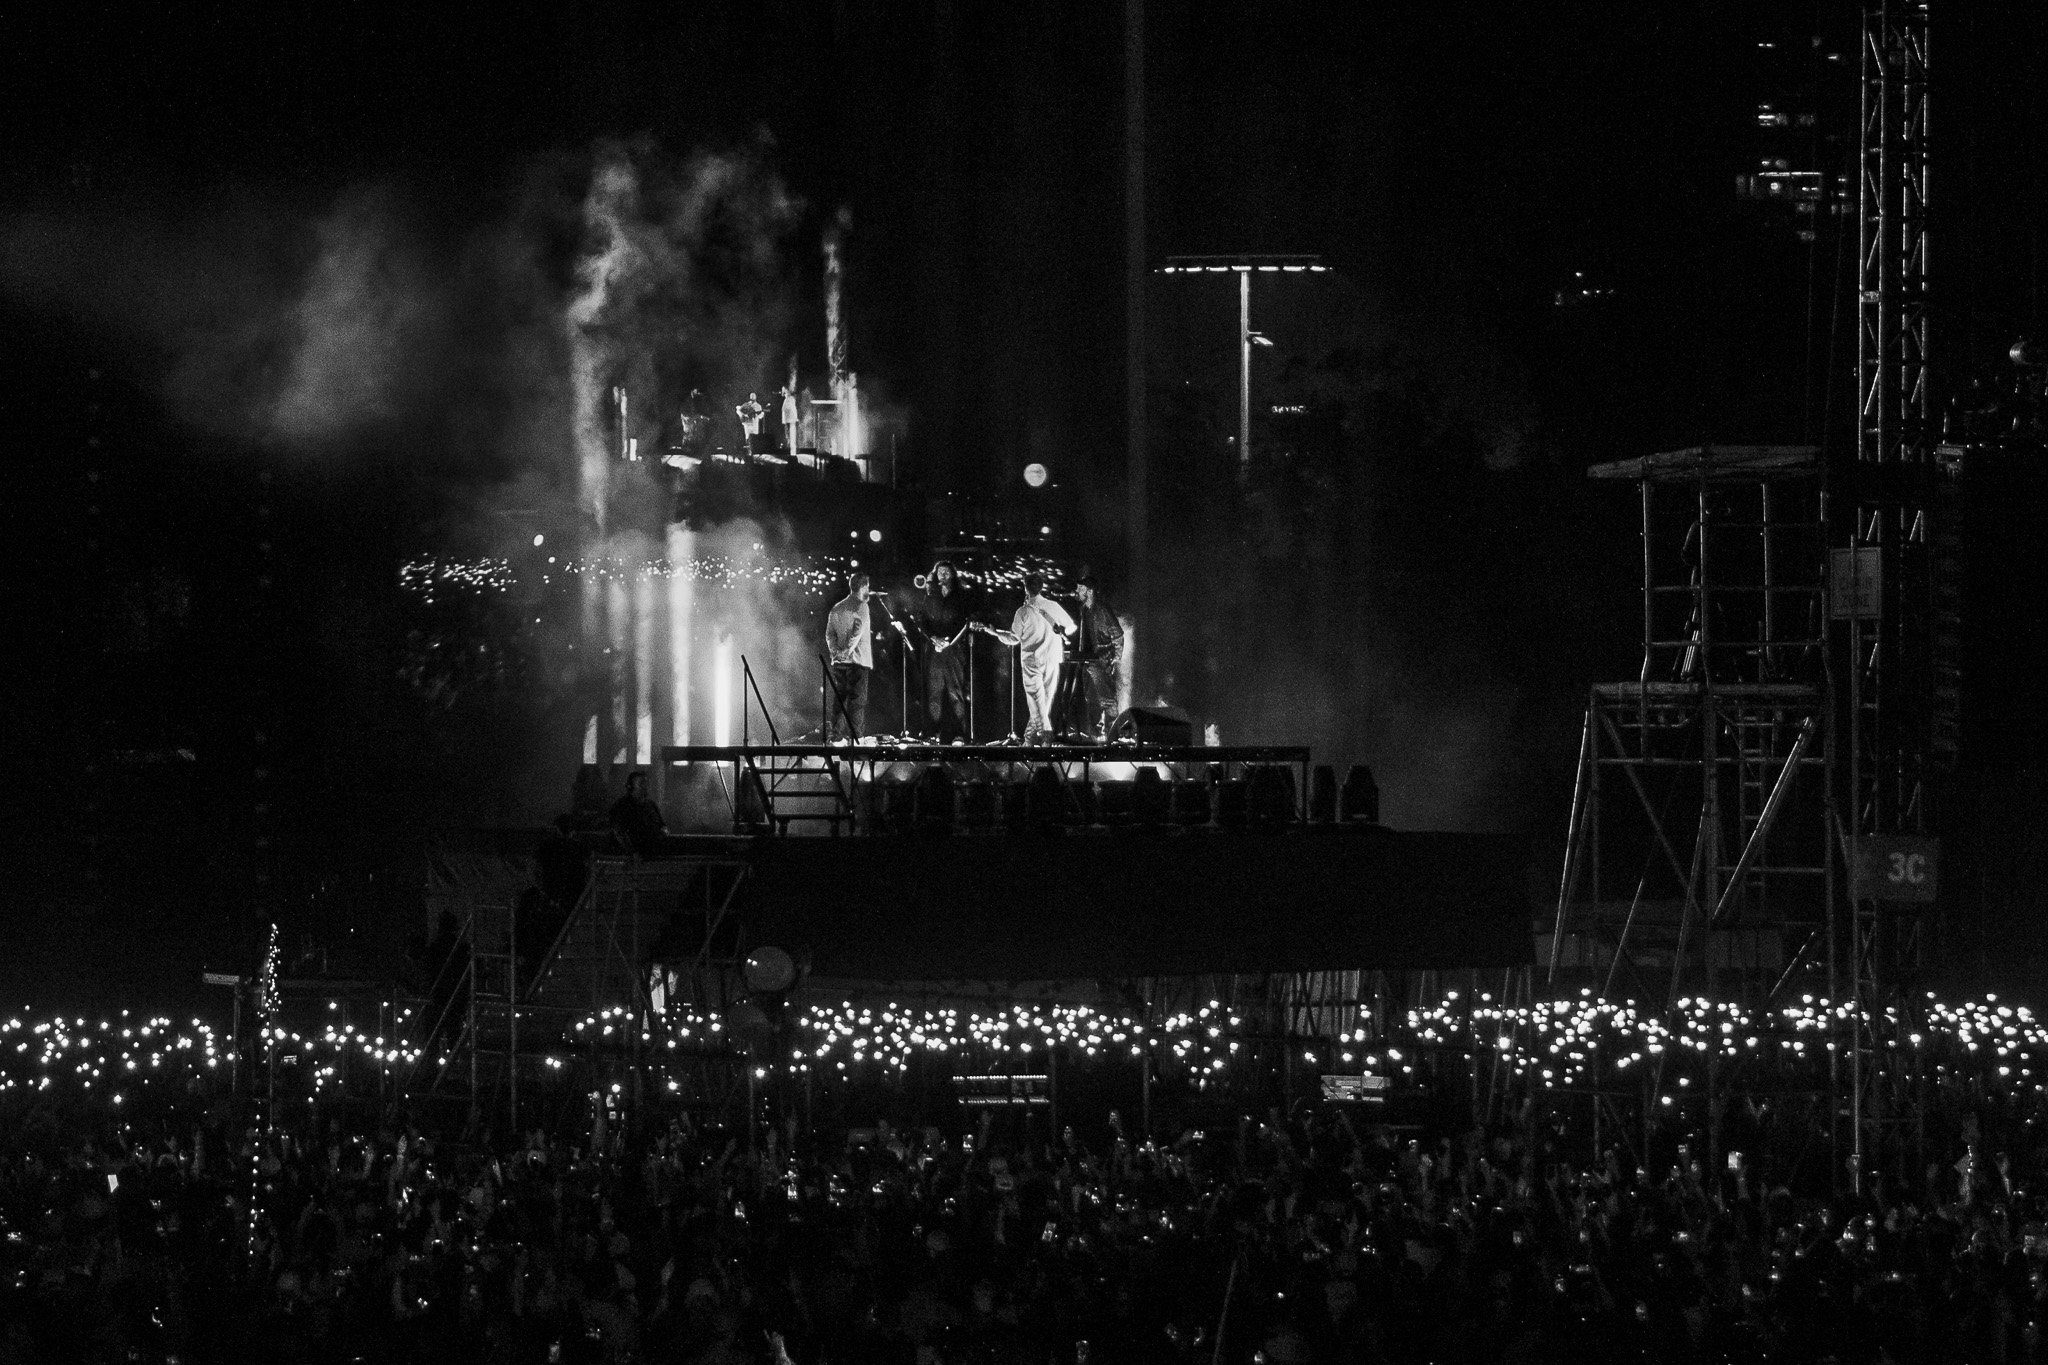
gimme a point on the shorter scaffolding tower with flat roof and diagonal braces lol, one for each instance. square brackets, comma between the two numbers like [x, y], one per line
[1697, 856]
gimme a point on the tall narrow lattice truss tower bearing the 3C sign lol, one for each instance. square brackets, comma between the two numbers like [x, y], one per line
[1887, 619]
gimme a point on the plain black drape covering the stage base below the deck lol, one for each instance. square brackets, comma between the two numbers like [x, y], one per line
[1084, 906]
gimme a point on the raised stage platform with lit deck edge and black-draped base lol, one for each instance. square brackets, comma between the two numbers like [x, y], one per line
[1031, 863]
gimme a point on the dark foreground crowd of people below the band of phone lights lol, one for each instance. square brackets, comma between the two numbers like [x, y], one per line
[1306, 1237]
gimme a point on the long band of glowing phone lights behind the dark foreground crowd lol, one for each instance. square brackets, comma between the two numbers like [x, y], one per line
[1558, 1047]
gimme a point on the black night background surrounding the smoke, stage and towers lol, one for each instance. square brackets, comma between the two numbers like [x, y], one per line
[1541, 263]
